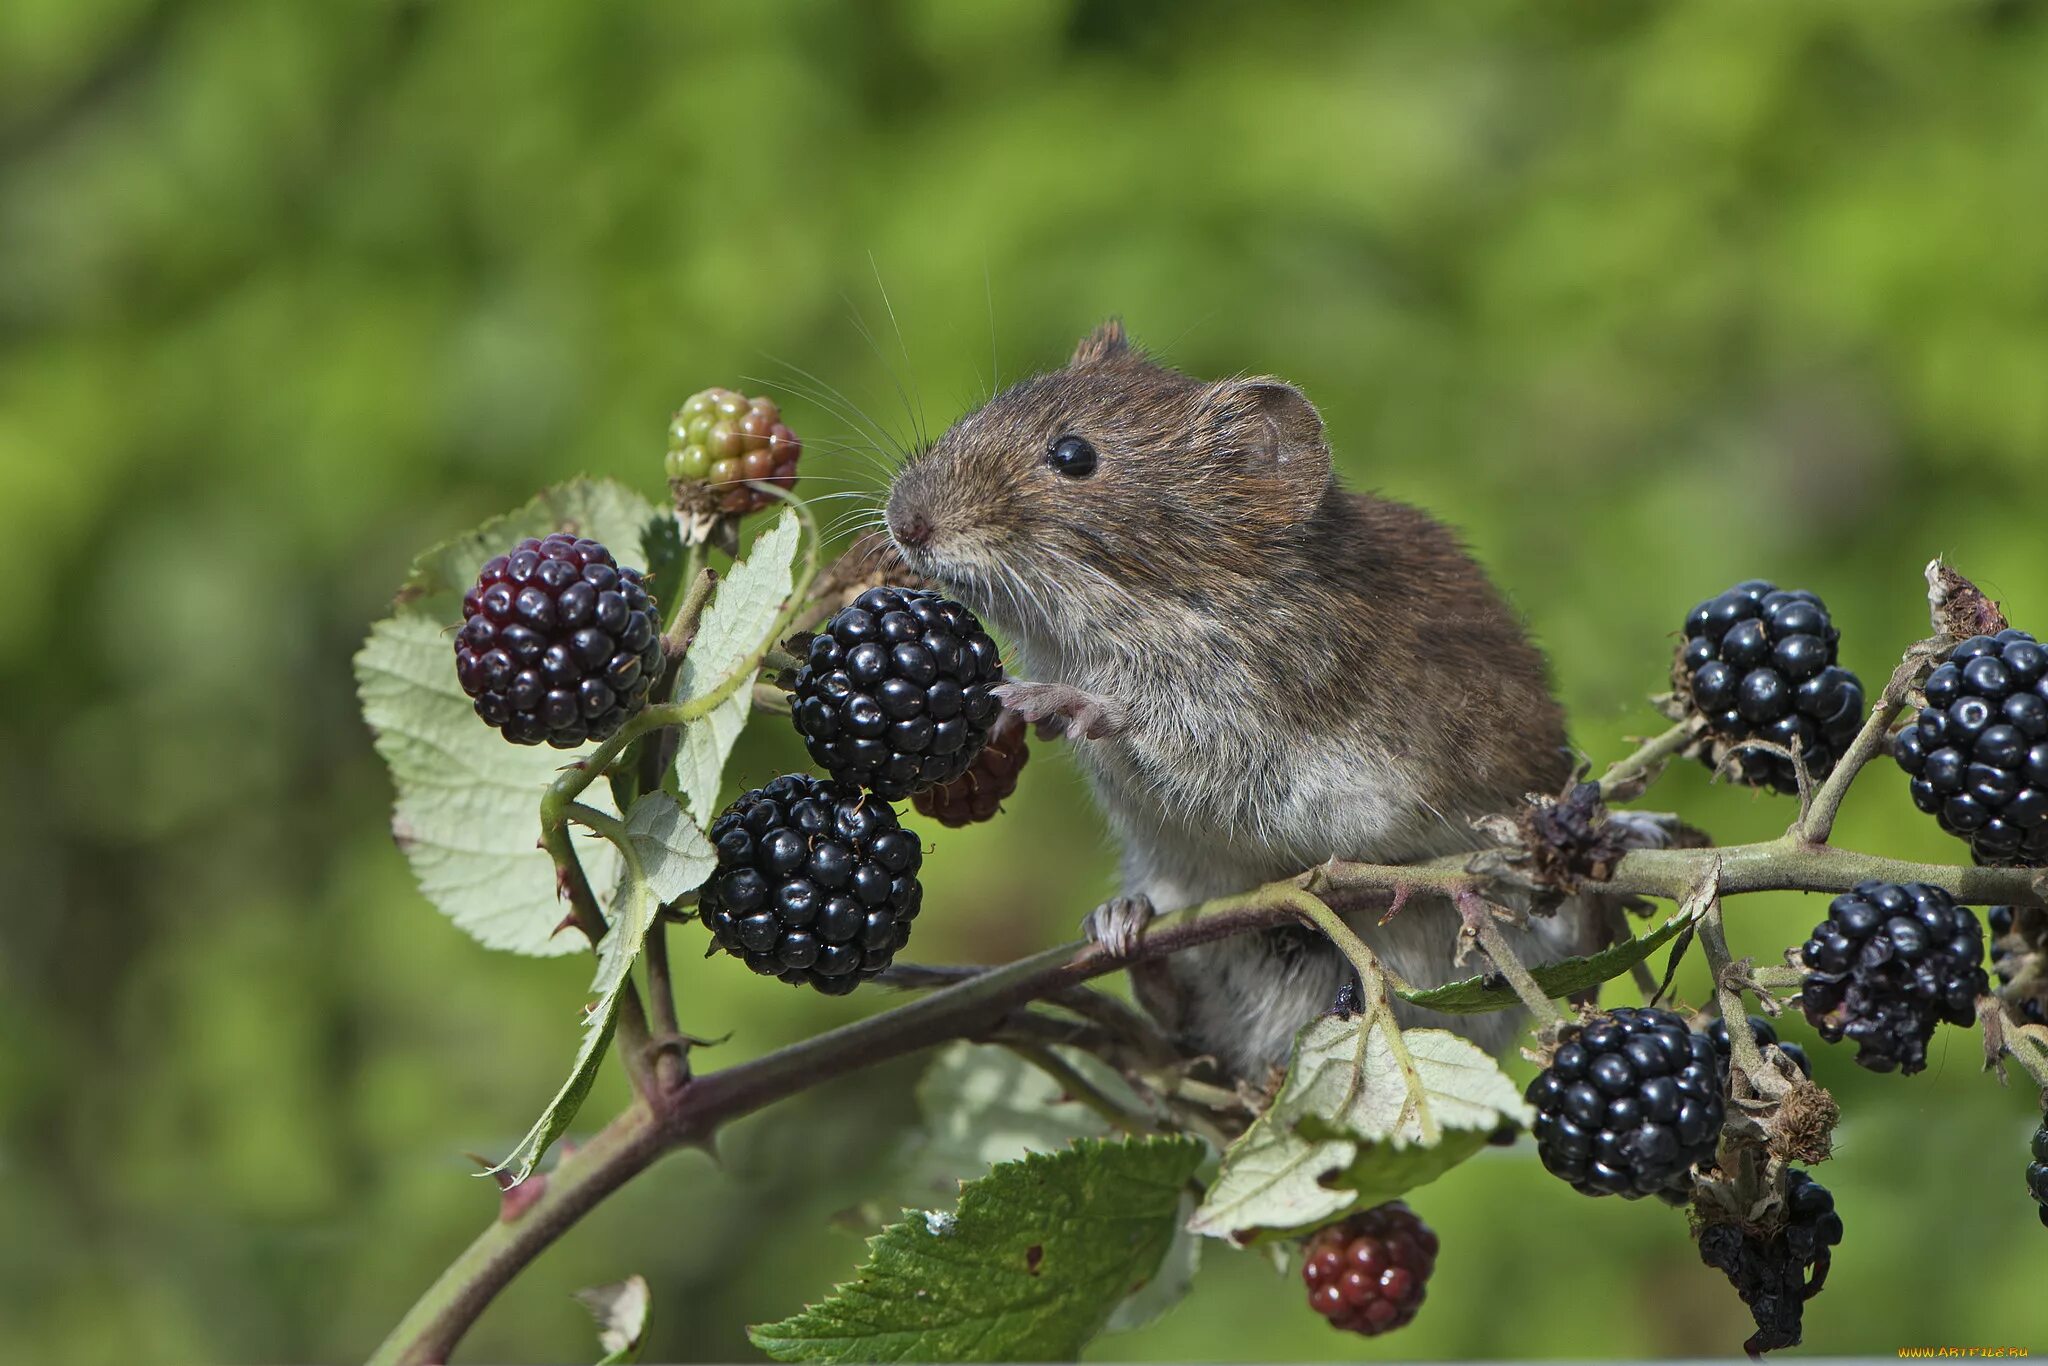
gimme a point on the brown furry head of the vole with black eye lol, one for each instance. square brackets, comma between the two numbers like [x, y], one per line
[1111, 490]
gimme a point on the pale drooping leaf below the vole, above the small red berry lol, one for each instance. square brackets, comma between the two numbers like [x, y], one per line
[1367, 1113]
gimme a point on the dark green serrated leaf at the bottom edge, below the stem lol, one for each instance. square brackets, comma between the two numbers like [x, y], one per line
[1029, 1269]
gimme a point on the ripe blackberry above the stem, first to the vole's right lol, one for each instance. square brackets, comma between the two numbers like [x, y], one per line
[1760, 665]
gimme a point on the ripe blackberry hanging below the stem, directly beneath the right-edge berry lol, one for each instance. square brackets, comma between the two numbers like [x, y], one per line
[1887, 966]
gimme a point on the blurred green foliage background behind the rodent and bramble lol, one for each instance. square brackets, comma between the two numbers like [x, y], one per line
[1644, 298]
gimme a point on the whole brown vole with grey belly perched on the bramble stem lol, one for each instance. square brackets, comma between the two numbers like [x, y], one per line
[1256, 671]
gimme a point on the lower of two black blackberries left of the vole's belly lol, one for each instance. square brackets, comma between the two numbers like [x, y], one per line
[816, 884]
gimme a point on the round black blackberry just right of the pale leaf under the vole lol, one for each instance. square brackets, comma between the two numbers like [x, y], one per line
[1629, 1105]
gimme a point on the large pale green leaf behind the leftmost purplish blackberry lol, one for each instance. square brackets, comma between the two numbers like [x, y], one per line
[468, 802]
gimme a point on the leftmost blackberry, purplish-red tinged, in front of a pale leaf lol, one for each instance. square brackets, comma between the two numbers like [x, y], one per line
[558, 642]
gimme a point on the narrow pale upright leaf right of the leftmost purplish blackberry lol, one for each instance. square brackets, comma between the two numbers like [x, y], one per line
[740, 615]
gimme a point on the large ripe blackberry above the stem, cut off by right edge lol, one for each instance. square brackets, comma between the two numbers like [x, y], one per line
[1979, 751]
